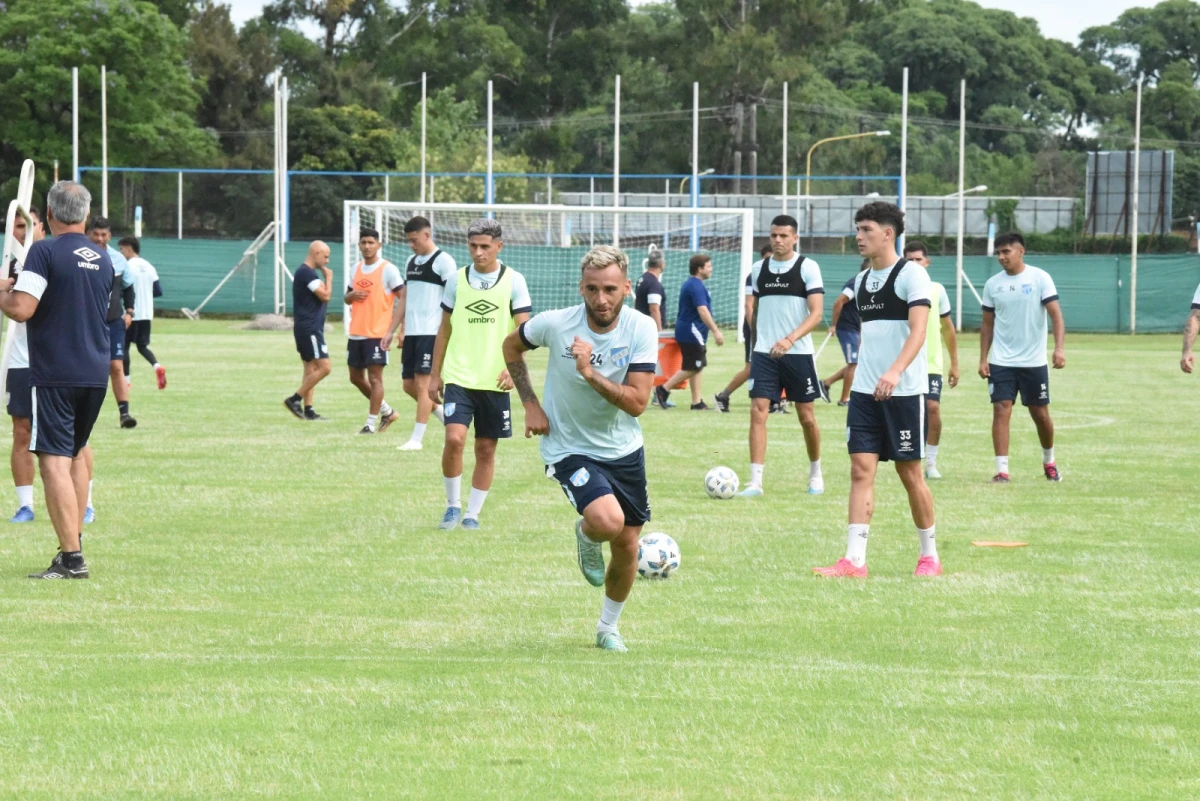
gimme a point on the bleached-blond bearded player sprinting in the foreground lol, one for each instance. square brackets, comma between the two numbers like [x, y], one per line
[598, 383]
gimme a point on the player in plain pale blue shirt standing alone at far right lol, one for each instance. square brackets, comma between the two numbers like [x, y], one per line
[1013, 350]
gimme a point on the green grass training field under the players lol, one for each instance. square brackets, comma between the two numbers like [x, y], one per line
[273, 612]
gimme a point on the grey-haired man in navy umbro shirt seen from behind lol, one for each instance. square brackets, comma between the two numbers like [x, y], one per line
[63, 297]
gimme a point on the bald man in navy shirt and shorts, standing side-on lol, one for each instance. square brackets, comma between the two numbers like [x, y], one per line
[310, 299]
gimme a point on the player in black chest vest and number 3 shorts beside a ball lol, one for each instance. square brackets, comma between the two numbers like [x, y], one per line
[789, 303]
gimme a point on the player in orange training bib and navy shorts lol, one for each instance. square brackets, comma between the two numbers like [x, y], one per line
[374, 314]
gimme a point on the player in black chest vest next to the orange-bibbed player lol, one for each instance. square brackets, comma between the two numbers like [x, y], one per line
[421, 303]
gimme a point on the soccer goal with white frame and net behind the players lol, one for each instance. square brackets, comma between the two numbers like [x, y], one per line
[545, 244]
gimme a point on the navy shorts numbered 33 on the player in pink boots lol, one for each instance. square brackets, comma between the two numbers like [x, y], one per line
[892, 429]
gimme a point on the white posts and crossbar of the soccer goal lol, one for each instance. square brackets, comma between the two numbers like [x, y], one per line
[746, 261]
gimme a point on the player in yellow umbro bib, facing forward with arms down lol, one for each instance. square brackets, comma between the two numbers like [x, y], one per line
[481, 305]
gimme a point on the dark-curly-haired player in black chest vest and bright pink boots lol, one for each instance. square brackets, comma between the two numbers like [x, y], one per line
[886, 419]
